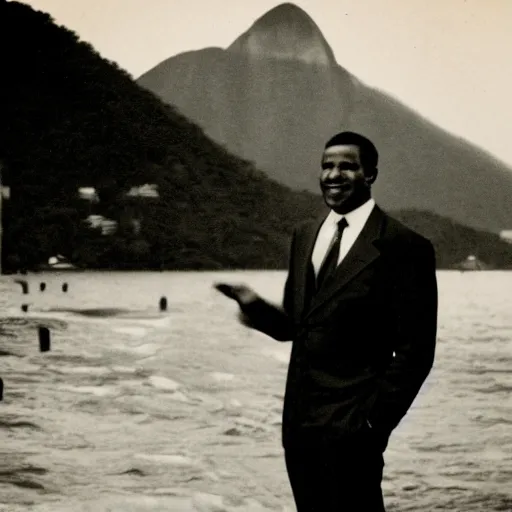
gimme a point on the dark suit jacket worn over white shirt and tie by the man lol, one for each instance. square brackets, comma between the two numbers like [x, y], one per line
[364, 343]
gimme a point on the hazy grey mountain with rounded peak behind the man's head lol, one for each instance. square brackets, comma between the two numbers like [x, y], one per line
[277, 94]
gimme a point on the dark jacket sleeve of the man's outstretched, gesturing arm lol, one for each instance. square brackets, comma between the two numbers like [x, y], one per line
[269, 319]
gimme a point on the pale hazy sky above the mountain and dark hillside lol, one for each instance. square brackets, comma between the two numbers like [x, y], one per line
[448, 59]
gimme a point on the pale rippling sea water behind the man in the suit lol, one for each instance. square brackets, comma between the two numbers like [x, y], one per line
[181, 410]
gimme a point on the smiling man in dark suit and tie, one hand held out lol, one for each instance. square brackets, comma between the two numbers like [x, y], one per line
[362, 314]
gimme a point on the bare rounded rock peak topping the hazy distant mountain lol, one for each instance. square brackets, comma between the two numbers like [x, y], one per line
[285, 32]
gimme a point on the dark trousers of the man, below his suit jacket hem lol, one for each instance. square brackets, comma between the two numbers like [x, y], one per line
[336, 475]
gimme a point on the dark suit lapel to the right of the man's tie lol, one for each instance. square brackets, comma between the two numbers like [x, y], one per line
[362, 253]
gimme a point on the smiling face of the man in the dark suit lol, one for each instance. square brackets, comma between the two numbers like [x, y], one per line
[342, 179]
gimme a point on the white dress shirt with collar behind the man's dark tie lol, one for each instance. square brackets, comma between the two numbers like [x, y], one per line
[356, 220]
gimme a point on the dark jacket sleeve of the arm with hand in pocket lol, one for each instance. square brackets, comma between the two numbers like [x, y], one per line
[413, 311]
